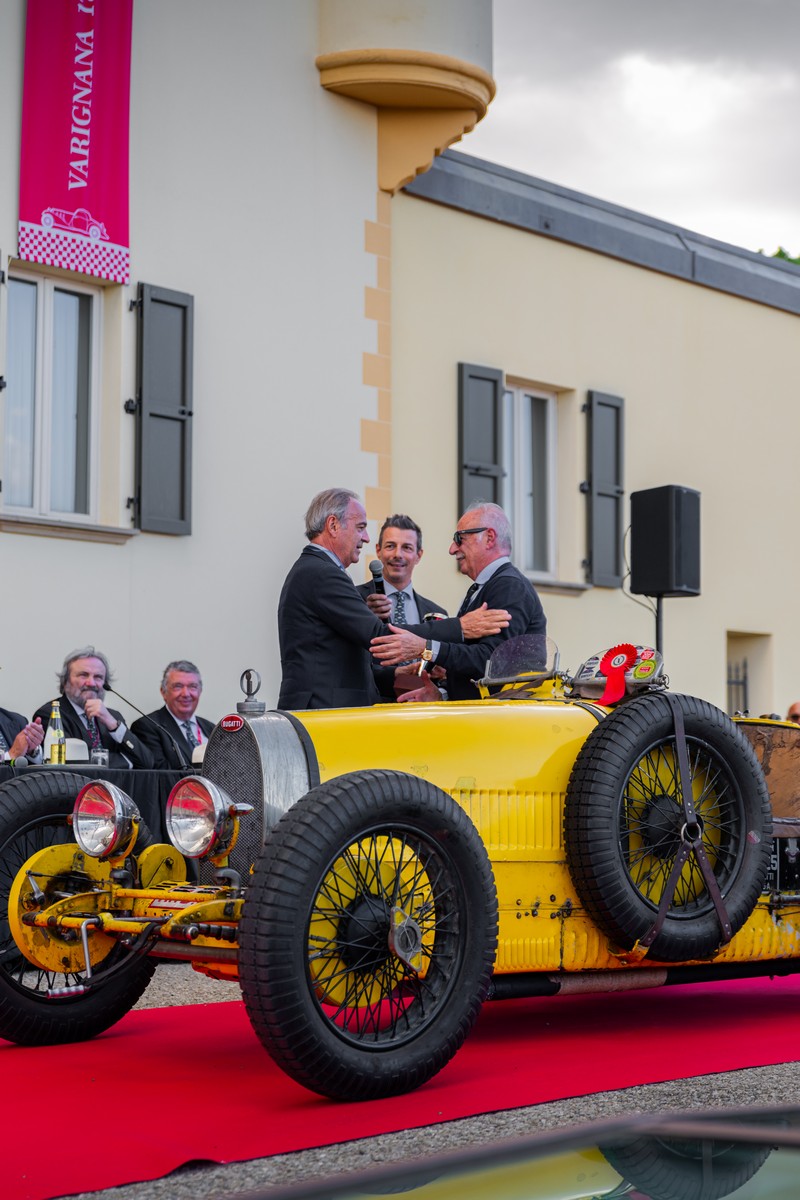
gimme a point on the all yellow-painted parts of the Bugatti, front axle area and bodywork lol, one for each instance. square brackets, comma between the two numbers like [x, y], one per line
[507, 763]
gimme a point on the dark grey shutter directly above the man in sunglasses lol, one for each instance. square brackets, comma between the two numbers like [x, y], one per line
[480, 435]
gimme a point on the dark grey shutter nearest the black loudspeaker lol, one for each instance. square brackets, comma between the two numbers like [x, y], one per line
[605, 489]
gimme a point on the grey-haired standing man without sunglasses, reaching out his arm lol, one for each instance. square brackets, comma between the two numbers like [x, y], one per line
[326, 627]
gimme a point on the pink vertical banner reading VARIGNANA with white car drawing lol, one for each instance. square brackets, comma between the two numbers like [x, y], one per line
[74, 163]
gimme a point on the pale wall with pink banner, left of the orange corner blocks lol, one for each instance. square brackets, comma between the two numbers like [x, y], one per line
[255, 189]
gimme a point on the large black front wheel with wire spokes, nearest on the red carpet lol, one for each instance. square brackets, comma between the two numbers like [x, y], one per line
[333, 1005]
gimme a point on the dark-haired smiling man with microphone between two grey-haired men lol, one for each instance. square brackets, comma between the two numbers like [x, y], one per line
[399, 550]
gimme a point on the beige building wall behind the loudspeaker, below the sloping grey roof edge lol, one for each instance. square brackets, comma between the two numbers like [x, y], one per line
[709, 383]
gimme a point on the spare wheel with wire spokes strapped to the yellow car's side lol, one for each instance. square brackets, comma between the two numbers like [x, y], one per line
[623, 820]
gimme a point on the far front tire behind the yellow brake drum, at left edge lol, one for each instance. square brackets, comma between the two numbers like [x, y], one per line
[34, 813]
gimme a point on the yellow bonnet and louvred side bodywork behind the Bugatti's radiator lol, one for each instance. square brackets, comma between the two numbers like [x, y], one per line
[508, 764]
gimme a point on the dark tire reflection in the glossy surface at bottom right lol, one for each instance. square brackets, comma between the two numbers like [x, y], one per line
[677, 1169]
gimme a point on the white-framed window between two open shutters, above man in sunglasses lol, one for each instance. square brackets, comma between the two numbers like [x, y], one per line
[530, 433]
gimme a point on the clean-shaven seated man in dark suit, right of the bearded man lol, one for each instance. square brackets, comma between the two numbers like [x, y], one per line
[172, 733]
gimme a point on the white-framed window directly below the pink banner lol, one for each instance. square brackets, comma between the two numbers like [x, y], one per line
[52, 400]
